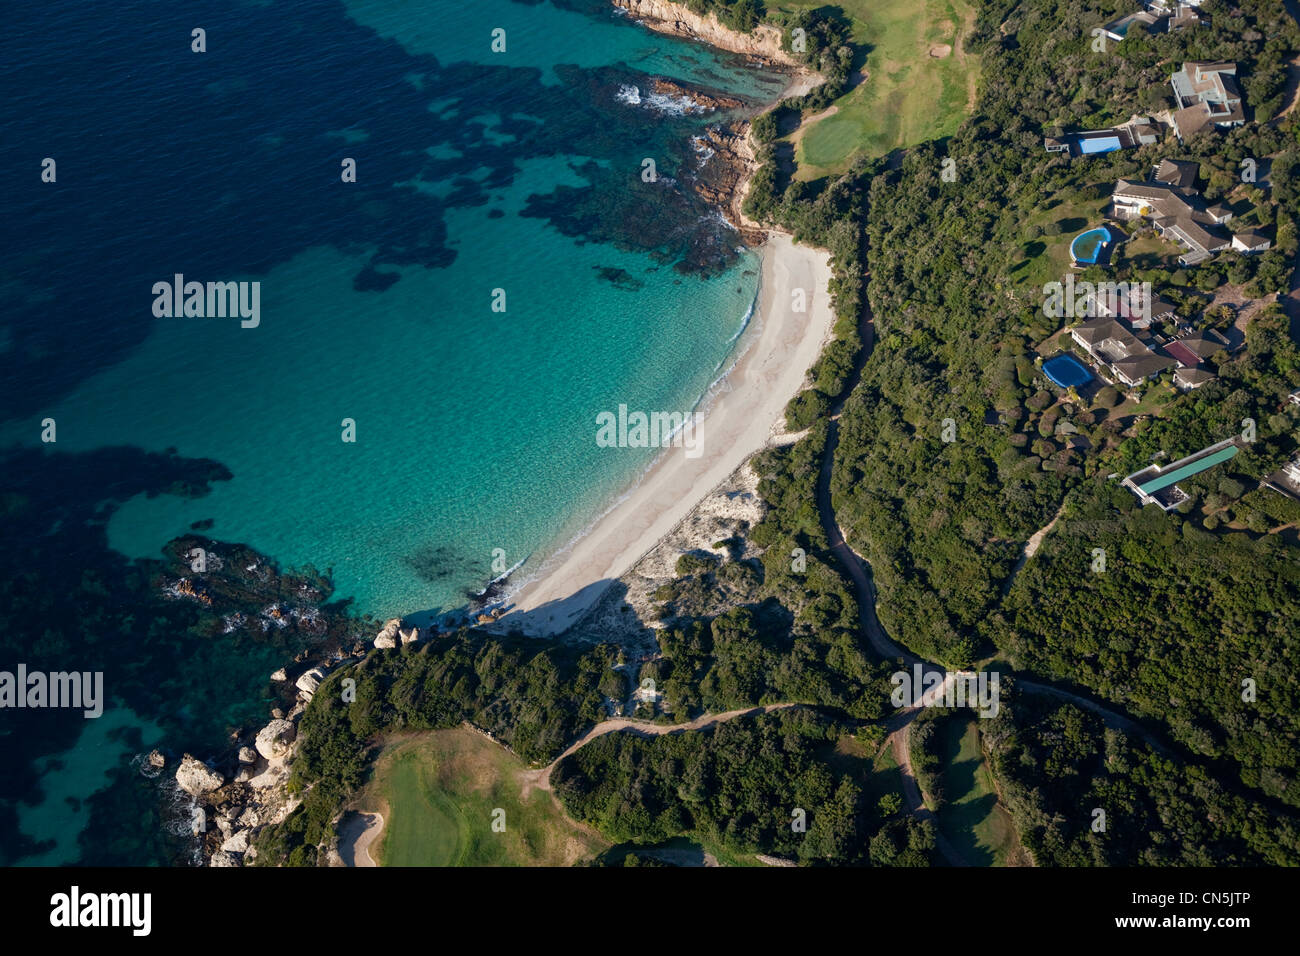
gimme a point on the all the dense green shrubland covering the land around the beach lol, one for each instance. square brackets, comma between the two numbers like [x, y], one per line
[954, 451]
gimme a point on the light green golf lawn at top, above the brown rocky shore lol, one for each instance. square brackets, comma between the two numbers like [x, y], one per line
[922, 83]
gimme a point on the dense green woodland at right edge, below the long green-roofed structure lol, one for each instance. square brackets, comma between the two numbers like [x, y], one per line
[1171, 630]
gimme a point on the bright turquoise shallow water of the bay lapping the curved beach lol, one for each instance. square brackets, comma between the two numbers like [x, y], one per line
[473, 436]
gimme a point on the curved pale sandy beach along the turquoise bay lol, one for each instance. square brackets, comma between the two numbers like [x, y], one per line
[748, 410]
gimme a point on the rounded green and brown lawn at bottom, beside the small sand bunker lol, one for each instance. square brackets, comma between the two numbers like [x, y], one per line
[437, 793]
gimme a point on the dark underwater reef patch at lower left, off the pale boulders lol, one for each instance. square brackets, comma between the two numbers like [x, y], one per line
[192, 660]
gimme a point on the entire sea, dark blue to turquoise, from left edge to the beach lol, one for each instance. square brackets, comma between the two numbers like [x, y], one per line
[480, 176]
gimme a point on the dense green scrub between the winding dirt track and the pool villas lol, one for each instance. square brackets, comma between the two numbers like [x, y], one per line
[943, 522]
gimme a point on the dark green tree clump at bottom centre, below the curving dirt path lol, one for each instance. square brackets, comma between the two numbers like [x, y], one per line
[739, 785]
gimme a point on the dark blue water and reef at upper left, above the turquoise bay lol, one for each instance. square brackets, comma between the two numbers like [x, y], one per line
[158, 163]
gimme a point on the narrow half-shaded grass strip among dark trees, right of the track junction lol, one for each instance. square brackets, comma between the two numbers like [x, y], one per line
[972, 817]
